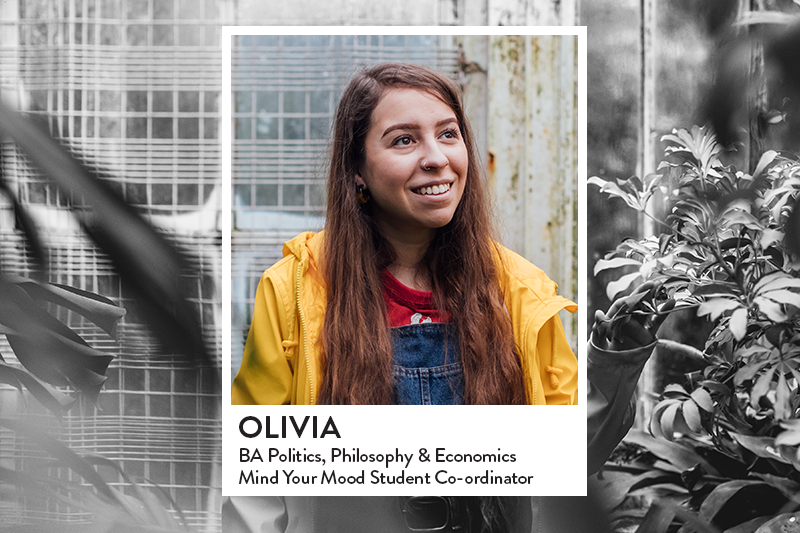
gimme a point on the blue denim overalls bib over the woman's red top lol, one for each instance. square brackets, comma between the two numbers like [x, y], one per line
[424, 372]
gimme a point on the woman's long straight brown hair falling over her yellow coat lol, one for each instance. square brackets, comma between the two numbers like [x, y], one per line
[461, 262]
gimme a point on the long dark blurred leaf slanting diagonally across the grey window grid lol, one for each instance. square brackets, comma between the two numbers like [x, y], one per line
[150, 267]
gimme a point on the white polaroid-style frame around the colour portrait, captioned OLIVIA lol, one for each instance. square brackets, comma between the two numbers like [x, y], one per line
[568, 440]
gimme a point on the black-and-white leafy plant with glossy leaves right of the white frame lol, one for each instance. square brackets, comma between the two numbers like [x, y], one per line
[721, 251]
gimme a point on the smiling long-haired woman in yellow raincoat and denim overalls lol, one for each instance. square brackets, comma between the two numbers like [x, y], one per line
[405, 297]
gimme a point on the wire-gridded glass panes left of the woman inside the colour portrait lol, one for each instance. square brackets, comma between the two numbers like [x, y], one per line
[285, 90]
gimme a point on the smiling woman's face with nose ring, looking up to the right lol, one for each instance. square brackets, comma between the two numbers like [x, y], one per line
[416, 163]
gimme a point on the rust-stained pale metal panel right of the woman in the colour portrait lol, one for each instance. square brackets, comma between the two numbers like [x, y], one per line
[533, 152]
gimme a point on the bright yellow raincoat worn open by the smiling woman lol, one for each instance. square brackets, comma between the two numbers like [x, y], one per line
[281, 363]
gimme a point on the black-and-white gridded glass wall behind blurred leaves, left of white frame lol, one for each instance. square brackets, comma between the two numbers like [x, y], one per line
[133, 86]
